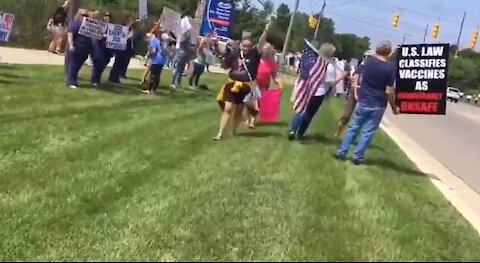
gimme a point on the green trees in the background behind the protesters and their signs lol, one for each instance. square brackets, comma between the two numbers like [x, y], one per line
[31, 18]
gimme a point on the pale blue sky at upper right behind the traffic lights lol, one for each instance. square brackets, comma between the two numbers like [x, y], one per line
[415, 15]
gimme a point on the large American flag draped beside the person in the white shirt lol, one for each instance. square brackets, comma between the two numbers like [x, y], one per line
[313, 71]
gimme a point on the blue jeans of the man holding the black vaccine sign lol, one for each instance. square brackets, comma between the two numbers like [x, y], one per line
[367, 119]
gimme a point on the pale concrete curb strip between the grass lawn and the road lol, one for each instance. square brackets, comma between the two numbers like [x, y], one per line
[457, 192]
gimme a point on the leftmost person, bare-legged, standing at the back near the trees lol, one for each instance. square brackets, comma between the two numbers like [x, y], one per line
[57, 26]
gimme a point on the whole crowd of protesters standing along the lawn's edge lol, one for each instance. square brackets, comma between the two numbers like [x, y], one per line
[252, 67]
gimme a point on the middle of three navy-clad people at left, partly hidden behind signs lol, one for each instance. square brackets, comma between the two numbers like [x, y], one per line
[101, 54]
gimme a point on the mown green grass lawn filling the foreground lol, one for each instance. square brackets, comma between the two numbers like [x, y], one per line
[112, 174]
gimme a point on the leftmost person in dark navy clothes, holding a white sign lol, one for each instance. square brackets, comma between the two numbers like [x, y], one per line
[79, 48]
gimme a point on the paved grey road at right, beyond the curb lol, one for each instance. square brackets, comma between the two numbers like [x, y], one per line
[454, 139]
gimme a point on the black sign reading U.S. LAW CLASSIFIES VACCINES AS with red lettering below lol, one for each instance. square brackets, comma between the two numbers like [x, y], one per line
[422, 78]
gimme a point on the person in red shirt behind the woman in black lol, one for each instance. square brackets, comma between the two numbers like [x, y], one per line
[267, 70]
